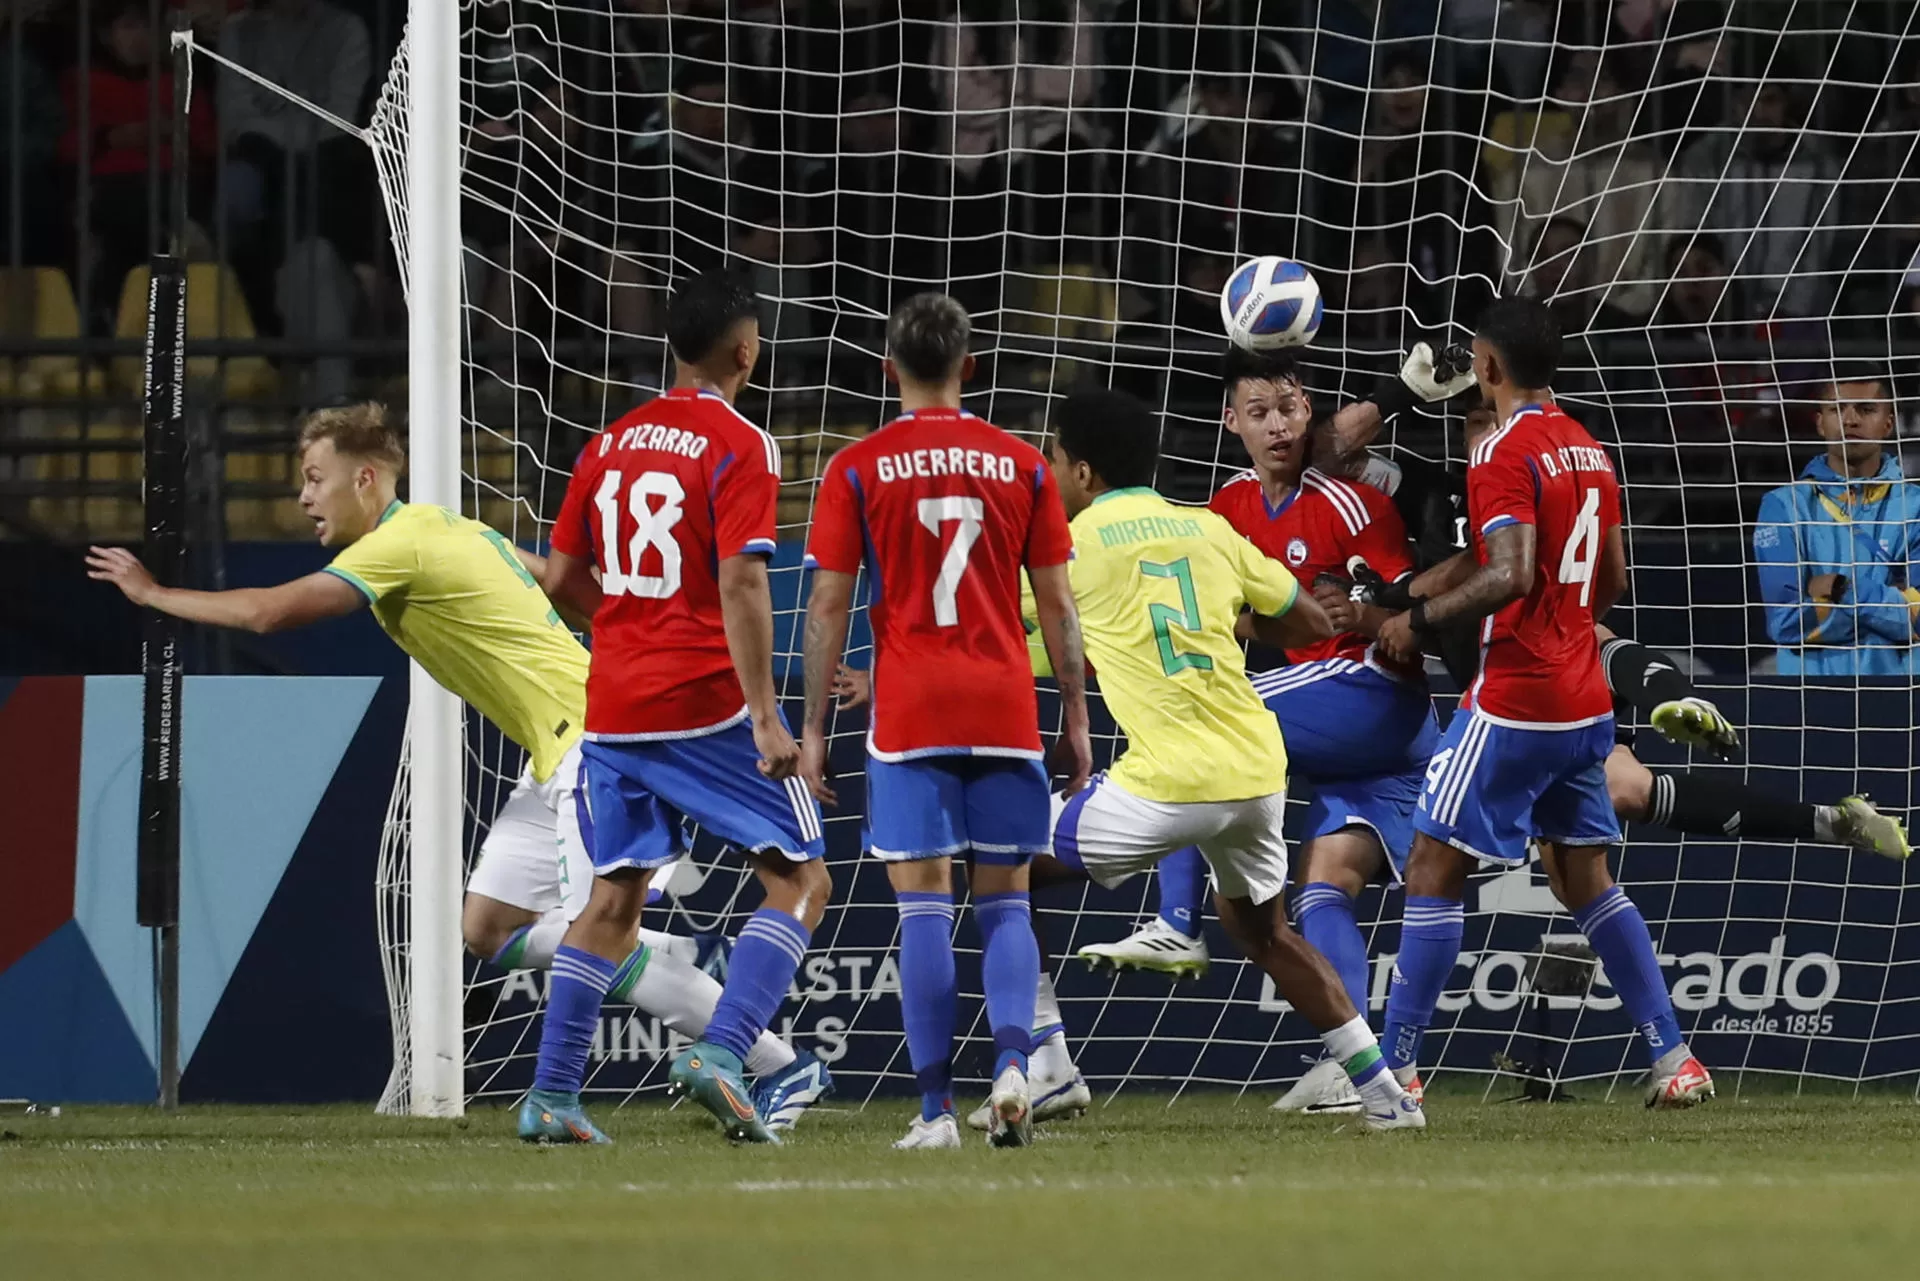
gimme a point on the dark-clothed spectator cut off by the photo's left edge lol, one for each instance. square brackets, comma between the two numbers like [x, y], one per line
[30, 143]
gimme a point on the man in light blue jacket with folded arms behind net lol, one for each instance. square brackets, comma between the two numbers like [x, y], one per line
[1840, 548]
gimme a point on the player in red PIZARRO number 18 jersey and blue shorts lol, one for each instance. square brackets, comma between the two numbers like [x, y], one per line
[663, 537]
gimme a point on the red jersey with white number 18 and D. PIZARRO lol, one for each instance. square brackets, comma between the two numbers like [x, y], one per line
[658, 502]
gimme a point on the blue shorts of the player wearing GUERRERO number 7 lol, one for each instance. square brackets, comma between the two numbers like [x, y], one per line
[932, 808]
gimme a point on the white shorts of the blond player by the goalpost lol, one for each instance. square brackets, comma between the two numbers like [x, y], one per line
[533, 856]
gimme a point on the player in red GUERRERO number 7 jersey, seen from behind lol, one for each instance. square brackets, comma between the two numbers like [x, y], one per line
[944, 510]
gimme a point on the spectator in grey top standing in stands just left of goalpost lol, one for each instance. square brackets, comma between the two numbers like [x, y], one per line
[299, 193]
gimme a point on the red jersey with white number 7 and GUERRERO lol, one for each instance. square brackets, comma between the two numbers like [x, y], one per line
[944, 510]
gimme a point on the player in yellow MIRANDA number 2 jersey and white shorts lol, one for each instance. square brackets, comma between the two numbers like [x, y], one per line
[1164, 594]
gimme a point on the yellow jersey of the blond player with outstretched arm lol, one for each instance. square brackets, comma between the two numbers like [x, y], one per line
[456, 598]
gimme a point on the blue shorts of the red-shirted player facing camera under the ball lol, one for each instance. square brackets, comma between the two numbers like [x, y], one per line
[1360, 740]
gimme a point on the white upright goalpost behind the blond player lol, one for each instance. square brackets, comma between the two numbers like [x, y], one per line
[435, 723]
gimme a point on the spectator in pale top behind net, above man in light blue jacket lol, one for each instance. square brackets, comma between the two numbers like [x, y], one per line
[1771, 193]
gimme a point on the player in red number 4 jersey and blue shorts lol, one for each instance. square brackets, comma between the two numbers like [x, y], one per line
[1525, 756]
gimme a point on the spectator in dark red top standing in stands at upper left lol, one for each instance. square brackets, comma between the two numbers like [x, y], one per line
[126, 222]
